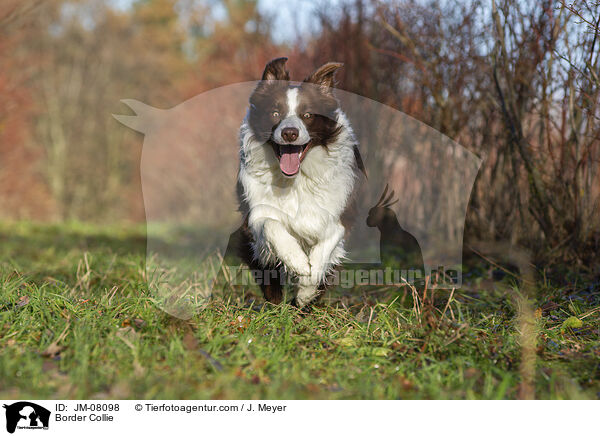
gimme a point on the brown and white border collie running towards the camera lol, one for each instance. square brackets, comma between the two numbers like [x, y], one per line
[299, 162]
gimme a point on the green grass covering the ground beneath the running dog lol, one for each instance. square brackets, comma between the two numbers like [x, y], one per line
[77, 321]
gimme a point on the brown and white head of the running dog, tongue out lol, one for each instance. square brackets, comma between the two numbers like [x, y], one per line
[294, 117]
